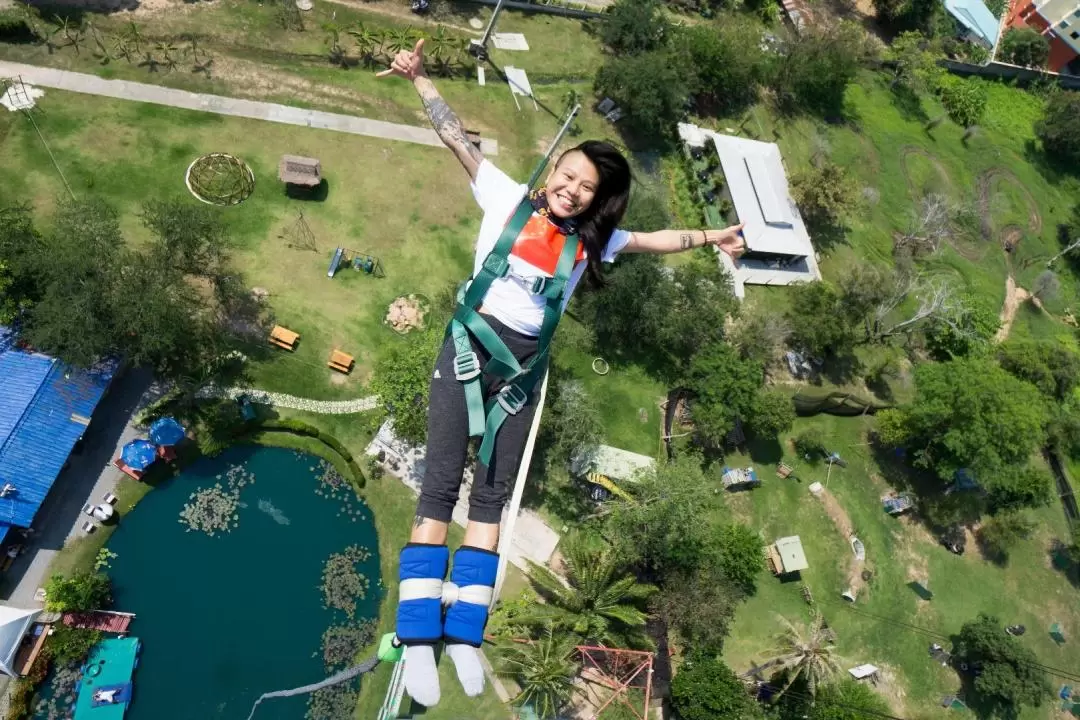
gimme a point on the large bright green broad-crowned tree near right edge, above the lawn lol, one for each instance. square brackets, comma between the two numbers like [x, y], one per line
[967, 414]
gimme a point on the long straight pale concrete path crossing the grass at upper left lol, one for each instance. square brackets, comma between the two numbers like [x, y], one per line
[126, 90]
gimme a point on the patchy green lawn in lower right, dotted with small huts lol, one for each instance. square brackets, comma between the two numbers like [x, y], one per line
[899, 552]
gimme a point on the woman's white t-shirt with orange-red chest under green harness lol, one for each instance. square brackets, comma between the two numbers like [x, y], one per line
[509, 298]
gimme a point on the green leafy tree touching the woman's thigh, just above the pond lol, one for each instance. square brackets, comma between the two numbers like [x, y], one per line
[402, 379]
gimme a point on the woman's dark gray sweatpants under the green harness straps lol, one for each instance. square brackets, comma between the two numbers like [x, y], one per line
[449, 437]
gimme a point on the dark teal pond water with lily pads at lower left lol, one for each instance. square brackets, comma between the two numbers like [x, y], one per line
[224, 619]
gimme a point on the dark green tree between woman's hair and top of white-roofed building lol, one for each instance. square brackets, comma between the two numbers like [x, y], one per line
[651, 88]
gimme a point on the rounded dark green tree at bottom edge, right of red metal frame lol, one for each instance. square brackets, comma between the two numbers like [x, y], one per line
[707, 689]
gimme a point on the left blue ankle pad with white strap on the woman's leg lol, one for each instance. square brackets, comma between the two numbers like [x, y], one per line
[420, 610]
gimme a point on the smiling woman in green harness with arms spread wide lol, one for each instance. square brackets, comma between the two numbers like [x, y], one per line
[525, 271]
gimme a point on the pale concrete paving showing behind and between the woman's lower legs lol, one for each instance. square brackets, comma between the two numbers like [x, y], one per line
[533, 539]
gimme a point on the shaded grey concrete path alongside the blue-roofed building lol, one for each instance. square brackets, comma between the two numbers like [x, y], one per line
[88, 477]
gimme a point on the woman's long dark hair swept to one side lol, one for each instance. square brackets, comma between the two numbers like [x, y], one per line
[604, 214]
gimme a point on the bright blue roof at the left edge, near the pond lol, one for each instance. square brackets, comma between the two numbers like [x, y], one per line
[45, 410]
